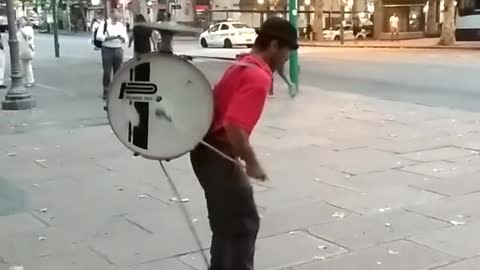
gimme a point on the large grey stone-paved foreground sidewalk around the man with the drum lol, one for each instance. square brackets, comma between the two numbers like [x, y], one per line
[356, 183]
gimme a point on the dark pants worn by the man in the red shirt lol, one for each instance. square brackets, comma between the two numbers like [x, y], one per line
[231, 207]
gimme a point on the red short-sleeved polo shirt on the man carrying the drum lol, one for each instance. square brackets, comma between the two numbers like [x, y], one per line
[240, 95]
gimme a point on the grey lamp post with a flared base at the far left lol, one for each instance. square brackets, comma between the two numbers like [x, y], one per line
[17, 97]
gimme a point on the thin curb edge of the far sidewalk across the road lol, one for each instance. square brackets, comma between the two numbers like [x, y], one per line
[435, 47]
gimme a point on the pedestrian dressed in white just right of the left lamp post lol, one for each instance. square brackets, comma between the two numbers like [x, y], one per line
[25, 36]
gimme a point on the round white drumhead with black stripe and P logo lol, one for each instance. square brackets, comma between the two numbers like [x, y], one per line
[161, 114]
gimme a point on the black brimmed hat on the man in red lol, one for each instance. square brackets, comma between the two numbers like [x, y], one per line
[280, 29]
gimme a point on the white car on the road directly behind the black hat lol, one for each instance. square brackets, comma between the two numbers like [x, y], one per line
[228, 34]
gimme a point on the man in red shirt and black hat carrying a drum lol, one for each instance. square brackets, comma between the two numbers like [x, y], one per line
[239, 98]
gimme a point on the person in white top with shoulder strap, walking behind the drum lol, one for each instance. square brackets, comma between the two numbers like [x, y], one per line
[112, 37]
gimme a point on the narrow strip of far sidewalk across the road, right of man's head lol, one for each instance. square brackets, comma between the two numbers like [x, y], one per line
[424, 43]
